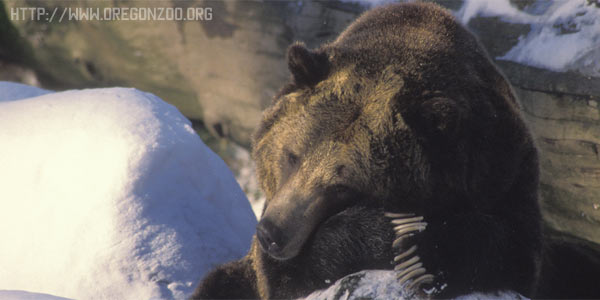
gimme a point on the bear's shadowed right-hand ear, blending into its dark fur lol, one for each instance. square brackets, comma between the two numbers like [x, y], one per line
[440, 118]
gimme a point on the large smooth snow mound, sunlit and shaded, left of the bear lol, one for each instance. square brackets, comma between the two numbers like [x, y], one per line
[109, 194]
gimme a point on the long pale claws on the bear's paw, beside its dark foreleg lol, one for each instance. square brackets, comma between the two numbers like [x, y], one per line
[410, 269]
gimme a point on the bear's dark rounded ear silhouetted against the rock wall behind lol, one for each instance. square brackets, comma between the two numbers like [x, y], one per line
[307, 67]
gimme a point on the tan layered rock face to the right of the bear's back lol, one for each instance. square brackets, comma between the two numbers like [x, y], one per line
[562, 111]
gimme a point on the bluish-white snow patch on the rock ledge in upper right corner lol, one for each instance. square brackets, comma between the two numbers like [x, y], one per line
[564, 36]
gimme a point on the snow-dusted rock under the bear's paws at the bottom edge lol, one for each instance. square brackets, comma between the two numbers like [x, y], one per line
[379, 284]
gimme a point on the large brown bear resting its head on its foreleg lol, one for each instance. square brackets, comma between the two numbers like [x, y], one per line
[398, 145]
